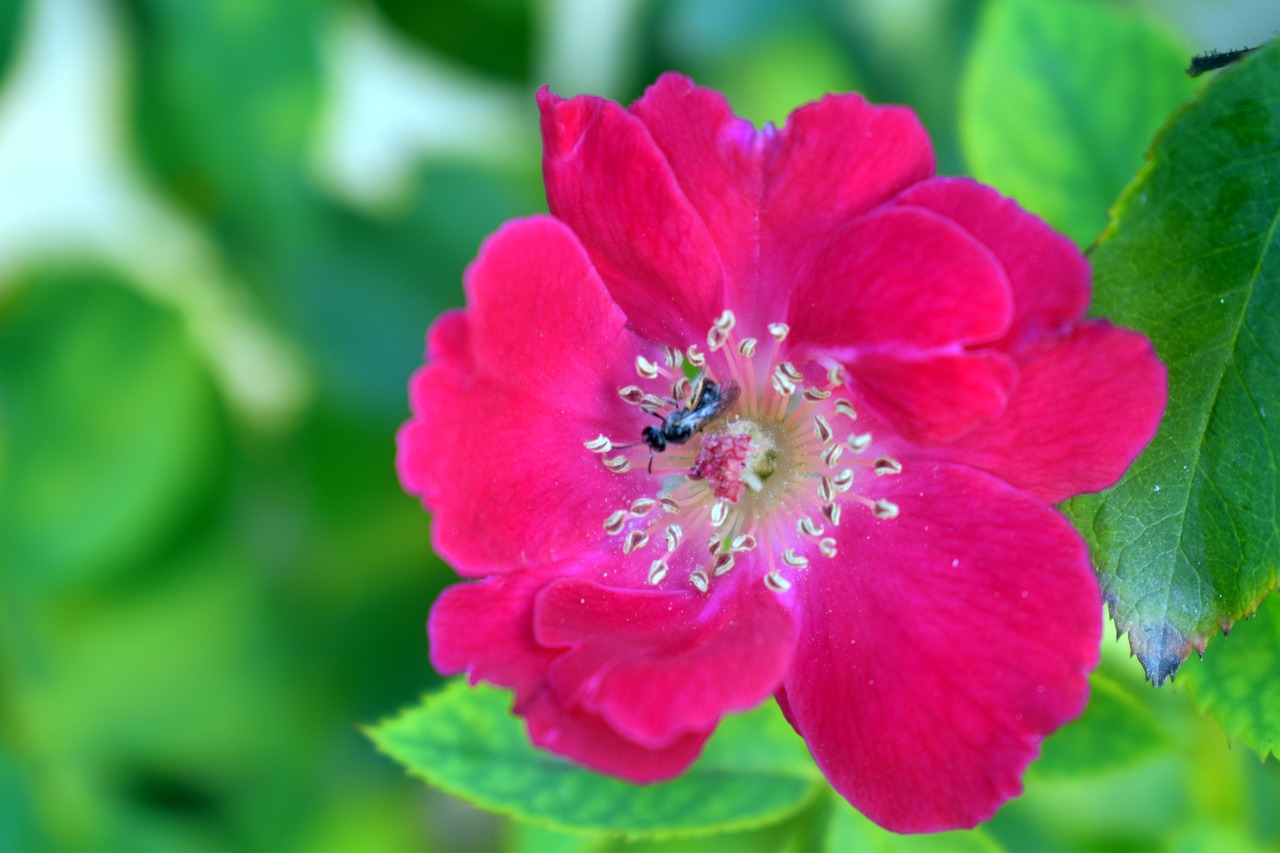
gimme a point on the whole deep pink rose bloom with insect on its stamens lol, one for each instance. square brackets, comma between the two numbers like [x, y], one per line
[866, 386]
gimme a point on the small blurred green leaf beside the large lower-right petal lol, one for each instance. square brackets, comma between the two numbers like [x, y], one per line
[1117, 732]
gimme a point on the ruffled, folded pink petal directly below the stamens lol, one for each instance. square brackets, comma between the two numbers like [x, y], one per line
[659, 664]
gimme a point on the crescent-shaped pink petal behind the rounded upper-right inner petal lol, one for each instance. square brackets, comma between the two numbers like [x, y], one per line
[1049, 276]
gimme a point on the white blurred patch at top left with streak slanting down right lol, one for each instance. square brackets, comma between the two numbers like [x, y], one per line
[71, 191]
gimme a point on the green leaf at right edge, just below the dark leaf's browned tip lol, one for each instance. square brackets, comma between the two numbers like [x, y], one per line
[1237, 681]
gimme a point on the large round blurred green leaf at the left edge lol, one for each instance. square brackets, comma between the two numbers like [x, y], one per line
[111, 430]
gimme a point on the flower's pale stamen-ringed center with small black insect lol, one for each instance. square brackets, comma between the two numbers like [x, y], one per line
[753, 455]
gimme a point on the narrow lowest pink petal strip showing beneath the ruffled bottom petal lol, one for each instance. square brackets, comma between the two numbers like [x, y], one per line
[589, 741]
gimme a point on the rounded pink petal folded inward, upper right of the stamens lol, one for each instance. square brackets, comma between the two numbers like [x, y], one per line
[902, 282]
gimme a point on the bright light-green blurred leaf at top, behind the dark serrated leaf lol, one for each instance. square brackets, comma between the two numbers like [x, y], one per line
[1060, 101]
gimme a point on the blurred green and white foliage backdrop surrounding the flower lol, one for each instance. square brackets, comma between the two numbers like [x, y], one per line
[225, 229]
